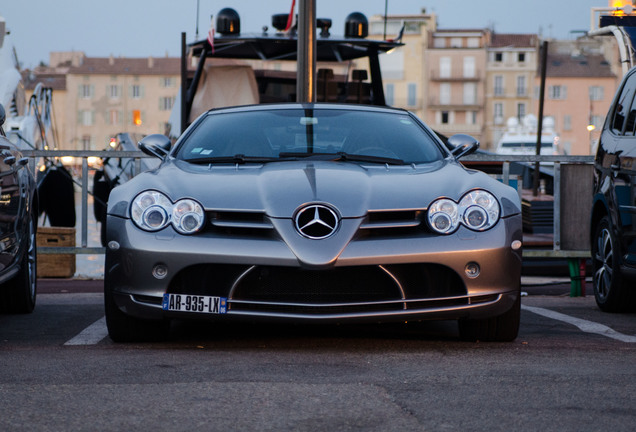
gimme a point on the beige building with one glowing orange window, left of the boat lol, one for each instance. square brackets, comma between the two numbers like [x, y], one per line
[104, 96]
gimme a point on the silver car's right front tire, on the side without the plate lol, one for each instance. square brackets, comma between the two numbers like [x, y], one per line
[502, 328]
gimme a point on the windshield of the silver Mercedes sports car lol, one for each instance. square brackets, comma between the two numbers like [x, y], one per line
[335, 134]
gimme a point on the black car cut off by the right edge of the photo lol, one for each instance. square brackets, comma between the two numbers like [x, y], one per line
[613, 224]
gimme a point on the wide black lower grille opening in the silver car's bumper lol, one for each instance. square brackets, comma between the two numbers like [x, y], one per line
[269, 289]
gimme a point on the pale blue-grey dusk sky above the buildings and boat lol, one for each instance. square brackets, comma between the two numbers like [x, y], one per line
[140, 28]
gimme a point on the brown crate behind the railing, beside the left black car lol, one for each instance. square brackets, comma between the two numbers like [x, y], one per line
[57, 265]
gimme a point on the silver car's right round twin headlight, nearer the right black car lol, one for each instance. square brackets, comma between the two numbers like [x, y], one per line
[477, 210]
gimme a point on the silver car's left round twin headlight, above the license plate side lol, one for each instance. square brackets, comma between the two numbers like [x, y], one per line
[153, 211]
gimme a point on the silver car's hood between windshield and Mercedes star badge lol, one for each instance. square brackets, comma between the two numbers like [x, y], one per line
[278, 189]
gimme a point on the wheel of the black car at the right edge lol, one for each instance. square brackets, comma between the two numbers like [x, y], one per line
[610, 290]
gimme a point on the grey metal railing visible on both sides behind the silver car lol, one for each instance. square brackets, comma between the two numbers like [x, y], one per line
[505, 160]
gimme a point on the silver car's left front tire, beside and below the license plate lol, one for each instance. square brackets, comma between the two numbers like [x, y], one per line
[124, 328]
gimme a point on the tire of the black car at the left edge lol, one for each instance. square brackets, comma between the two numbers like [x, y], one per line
[18, 294]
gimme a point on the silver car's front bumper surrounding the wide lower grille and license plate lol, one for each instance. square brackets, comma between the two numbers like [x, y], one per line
[371, 279]
